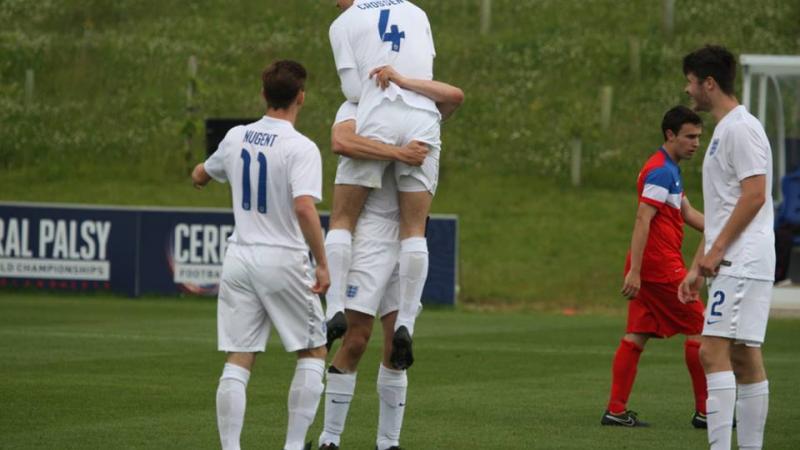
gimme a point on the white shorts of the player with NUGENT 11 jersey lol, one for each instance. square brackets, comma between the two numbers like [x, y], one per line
[262, 286]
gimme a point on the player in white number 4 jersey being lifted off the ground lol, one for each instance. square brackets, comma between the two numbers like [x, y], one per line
[366, 36]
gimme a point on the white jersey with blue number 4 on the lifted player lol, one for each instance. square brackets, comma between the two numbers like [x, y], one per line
[374, 33]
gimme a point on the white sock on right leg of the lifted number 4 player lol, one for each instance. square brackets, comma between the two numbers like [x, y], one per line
[413, 273]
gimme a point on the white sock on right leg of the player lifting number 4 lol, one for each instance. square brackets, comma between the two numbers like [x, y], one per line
[392, 387]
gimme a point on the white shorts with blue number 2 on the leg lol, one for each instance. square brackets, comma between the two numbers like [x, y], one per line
[738, 309]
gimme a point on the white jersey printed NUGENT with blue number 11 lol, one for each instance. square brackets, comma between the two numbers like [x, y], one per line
[268, 164]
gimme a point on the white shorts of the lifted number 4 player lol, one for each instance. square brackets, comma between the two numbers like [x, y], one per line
[395, 123]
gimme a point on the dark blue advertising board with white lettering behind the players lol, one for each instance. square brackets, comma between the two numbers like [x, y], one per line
[137, 251]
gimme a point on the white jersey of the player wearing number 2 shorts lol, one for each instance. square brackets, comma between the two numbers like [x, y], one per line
[739, 149]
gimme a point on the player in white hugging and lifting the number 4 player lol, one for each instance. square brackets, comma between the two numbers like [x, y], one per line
[372, 281]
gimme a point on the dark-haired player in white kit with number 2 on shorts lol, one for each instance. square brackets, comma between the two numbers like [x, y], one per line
[737, 253]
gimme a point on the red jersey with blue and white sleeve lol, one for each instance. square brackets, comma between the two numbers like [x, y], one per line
[660, 186]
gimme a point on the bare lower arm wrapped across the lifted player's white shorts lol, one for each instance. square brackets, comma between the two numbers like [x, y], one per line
[345, 142]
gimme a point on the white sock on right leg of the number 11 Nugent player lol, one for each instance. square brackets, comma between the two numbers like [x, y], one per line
[304, 394]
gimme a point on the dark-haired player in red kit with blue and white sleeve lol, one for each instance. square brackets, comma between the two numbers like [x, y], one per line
[654, 269]
